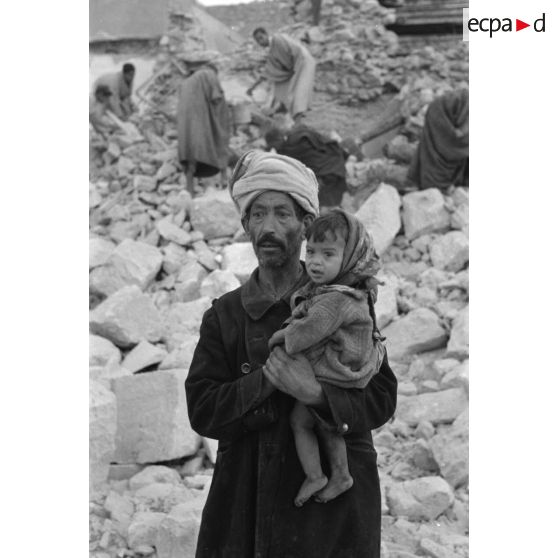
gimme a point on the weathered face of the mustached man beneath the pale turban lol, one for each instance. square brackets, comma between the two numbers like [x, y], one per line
[275, 230]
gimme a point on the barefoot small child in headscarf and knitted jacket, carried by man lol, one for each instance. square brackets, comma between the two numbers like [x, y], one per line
[333, 324]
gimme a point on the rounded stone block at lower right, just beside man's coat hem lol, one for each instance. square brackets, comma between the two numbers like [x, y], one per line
[421, 499]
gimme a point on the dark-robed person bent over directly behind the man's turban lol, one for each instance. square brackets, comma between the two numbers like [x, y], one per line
[321, 154]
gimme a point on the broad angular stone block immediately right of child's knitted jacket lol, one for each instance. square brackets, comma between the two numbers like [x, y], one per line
[418, 331]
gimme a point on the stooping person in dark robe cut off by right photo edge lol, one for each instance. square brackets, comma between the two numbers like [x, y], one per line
[442, 156]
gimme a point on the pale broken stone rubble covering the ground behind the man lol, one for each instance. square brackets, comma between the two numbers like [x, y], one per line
[158, 257]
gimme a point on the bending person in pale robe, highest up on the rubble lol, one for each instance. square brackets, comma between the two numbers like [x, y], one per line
[290, 68]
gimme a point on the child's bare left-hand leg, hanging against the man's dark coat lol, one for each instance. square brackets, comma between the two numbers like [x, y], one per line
[308, 452]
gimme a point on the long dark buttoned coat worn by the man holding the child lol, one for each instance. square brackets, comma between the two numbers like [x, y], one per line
[249, 511]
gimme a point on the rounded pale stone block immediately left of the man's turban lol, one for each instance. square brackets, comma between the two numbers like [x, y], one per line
[206, 208]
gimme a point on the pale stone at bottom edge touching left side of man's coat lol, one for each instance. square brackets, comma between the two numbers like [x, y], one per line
[178, 532]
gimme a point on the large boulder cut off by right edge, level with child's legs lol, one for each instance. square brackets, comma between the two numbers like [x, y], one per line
[450, 449]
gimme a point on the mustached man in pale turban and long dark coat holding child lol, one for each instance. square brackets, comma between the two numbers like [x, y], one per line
[249, 510]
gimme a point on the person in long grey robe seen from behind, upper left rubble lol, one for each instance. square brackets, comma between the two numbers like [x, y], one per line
[203, 124]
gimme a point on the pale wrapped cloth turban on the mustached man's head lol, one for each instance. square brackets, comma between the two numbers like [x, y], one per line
[257, 172]
